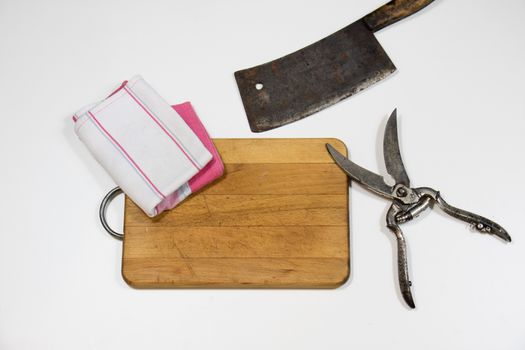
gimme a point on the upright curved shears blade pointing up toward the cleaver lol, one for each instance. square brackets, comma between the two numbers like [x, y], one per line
[392, 154]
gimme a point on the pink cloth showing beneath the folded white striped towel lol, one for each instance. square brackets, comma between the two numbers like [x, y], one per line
[213, 170]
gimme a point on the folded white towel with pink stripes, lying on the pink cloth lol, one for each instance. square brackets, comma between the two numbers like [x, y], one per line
[146, 147]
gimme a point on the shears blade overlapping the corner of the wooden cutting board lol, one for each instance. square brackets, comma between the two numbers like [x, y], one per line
[373, 182]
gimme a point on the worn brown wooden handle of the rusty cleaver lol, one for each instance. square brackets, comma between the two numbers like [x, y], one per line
[392, 12]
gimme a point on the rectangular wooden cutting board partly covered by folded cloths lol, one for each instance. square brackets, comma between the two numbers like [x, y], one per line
[278, 218]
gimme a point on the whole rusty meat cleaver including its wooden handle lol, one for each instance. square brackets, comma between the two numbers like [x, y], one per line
[299, 84]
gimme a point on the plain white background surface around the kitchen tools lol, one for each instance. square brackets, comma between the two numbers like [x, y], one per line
[460, 96]
